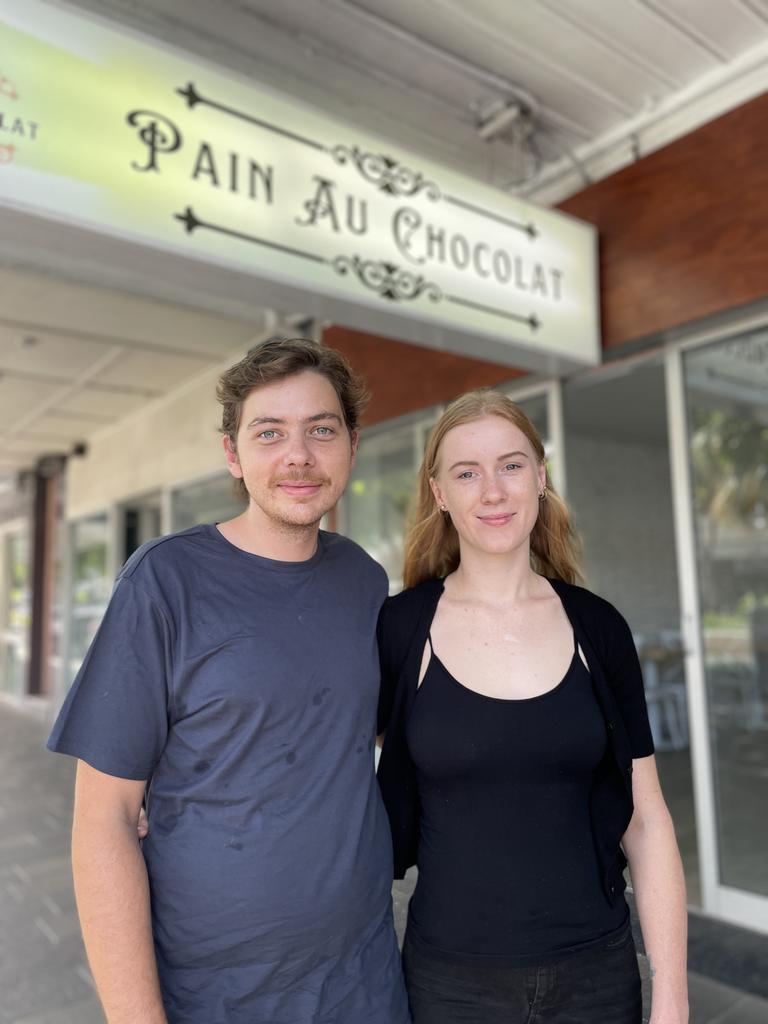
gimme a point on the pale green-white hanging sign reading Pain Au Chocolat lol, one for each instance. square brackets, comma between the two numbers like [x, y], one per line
[123, 137]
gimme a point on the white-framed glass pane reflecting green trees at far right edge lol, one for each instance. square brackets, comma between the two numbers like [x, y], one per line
[727, 388]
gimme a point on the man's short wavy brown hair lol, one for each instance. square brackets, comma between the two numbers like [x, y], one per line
[275, 361]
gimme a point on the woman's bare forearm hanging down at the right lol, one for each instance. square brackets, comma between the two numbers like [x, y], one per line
[660, 893]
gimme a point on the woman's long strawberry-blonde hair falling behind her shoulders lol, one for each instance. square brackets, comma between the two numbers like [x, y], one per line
[432, 540]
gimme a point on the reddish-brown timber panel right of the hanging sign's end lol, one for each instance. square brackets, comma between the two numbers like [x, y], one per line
[685, 232]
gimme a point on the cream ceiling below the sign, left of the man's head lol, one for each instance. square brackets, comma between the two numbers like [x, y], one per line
[75, 359]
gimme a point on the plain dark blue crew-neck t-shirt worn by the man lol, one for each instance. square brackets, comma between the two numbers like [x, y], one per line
[244, 691]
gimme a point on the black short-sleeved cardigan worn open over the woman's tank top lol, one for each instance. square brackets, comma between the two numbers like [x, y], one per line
[606, 639]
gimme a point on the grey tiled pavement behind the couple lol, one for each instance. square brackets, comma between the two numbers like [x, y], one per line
[44, 974]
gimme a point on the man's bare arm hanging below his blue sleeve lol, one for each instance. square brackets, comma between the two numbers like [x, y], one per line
[113, 897]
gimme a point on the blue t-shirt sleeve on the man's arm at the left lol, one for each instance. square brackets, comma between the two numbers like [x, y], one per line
[116, 714]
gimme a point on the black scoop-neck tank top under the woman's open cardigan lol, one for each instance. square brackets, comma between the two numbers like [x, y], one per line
[507, 865]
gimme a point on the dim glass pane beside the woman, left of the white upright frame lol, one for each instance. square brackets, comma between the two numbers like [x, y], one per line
[620, 493]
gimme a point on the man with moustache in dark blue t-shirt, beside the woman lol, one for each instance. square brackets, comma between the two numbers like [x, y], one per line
[233, 687]
